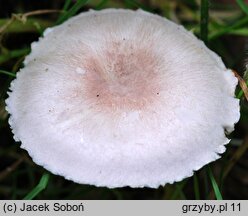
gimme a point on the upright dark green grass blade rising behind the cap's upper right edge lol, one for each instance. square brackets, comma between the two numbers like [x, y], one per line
[204, 20]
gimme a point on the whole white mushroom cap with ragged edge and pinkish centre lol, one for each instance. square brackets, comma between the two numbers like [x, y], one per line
[122, 98]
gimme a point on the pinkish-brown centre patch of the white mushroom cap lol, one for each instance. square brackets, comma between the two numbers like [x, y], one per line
[121, 77]
